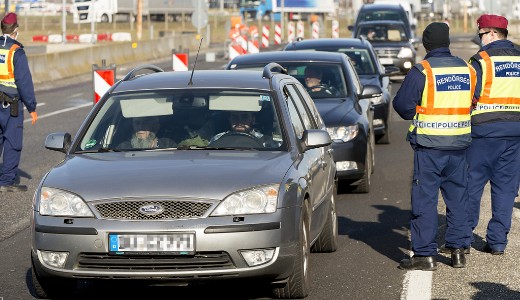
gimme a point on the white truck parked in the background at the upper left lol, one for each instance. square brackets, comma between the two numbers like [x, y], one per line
[108, 11]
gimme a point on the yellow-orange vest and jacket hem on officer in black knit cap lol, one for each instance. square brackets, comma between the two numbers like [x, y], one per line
[443, 117]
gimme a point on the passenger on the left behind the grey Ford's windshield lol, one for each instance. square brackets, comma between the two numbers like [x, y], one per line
[145, 135]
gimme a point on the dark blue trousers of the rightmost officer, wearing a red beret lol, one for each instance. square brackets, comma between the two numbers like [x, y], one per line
[497, 161]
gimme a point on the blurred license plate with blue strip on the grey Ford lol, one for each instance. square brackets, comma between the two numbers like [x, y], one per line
[171, 243]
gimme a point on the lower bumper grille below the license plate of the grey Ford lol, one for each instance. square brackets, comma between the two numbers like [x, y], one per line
[199, 261]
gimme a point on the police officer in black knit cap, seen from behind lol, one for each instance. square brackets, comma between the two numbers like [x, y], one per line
[436, 96]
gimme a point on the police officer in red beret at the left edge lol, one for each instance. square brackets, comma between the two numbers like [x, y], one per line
[15, 85]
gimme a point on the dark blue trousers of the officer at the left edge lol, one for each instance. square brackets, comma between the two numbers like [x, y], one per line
[11, 137]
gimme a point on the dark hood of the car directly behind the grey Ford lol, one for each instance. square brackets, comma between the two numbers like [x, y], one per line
[333, 111]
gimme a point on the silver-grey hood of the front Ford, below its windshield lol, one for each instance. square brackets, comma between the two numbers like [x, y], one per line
[190, 173]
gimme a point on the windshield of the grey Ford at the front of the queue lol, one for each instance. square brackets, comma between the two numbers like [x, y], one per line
[184, 120]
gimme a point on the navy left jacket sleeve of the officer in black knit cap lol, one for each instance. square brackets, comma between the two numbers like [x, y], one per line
[409, 94]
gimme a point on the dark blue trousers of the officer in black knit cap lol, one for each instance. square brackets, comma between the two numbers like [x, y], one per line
[447, 171]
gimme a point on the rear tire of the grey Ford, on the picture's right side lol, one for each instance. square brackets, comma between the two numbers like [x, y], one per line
[327, 241]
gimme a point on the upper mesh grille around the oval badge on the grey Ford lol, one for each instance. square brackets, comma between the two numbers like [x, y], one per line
[129, 210]
